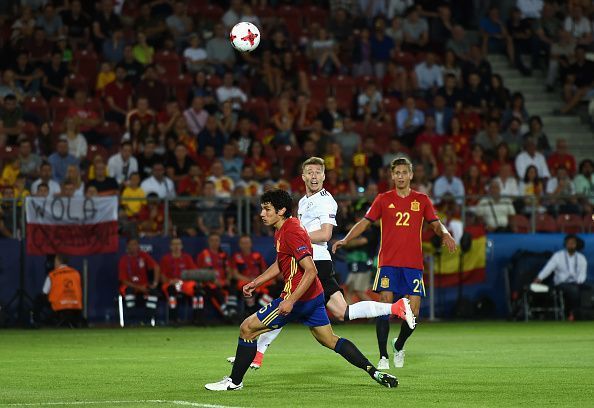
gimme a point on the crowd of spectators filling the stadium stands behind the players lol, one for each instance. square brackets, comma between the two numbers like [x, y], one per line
[148, 100]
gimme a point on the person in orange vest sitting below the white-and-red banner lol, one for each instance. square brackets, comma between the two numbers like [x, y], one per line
[62, 294]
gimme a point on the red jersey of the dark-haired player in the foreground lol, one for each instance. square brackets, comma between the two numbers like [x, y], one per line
[292, 245]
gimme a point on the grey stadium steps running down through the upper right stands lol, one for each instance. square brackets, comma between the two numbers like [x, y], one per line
[538, 102]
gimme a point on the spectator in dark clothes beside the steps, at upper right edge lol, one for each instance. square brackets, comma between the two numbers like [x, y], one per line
[579, 81]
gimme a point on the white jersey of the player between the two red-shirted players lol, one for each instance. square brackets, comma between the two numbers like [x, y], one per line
[314, 211]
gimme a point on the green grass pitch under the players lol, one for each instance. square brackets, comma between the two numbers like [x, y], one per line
[447, 364]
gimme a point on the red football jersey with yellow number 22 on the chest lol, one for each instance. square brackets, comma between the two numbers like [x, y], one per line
[401, 225]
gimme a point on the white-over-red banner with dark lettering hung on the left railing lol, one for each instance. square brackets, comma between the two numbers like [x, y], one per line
[72, 226]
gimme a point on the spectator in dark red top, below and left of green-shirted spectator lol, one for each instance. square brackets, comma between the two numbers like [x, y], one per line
[118, 97]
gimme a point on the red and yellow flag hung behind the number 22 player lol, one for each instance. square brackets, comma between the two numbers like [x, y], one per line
[447, 265]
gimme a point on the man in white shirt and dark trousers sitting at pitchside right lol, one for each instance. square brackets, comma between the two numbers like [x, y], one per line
[570, 273]
